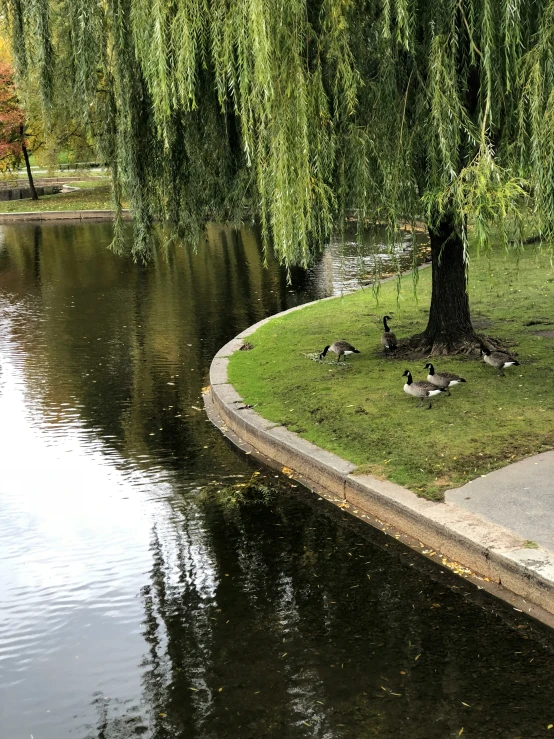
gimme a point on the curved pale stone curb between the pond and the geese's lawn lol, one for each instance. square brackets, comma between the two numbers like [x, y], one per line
[491, 551]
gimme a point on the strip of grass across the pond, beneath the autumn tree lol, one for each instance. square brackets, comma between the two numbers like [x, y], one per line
[93, 196]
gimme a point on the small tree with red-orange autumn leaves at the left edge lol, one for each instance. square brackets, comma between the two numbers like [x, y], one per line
[13, 134]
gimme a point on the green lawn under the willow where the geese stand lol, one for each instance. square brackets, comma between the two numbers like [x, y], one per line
[361, 412]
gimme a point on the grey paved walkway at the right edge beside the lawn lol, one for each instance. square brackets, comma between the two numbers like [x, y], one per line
[519, 497]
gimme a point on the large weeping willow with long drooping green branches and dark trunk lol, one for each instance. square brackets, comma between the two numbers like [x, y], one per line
[304, 111]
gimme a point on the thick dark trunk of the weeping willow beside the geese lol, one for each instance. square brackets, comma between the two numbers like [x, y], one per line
[449, 330]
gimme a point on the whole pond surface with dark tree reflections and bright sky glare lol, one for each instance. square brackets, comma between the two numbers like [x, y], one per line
[129, 608]
